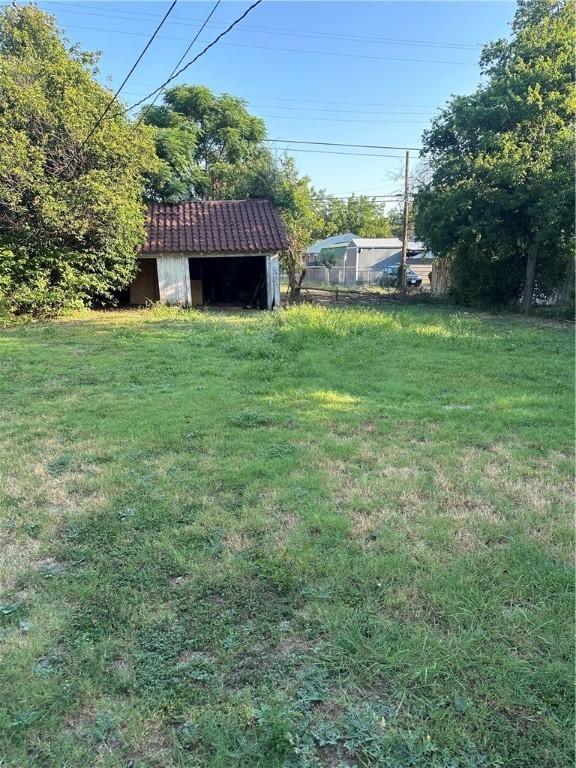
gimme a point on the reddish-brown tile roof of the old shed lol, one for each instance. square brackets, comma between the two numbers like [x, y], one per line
[214, 226]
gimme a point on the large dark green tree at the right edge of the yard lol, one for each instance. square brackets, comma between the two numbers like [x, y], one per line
[500, 200]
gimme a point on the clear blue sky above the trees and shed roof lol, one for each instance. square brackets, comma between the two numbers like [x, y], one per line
[354, 72]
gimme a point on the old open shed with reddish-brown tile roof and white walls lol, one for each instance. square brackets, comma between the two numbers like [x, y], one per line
[211, 252]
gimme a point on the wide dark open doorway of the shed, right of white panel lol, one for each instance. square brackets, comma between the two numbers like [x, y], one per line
[229, 280]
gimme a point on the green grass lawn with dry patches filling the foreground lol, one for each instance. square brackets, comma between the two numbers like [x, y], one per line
[319, 537]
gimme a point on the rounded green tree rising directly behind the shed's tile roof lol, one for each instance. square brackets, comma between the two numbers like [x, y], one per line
[208, 143]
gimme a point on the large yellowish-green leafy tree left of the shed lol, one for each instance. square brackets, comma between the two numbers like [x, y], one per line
[71, 215]
